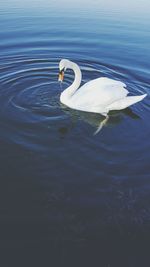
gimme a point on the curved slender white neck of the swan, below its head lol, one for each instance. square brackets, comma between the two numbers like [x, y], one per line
[69, 92]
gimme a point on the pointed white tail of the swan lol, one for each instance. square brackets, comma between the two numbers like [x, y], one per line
[126, 102]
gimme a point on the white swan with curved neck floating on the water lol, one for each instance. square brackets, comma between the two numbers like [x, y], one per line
[100, 95]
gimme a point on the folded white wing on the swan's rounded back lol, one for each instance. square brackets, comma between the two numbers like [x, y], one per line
[97, 93]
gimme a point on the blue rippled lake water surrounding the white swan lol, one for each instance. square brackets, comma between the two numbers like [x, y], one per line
[65, 194]
